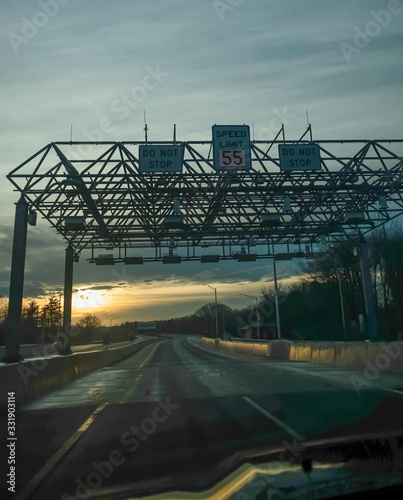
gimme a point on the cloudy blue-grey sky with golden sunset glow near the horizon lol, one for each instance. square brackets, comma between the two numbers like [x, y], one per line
[260, 62]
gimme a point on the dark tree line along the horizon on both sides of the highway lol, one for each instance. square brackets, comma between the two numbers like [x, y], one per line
[325, 302]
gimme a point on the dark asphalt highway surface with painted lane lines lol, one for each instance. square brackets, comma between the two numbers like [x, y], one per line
[178, 408]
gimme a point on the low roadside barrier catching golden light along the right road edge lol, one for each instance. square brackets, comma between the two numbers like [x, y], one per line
[381, 356]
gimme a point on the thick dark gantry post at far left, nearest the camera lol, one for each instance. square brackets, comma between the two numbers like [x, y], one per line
[13, 330]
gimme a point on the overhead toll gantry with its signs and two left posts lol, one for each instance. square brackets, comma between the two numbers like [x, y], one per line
[239, 196]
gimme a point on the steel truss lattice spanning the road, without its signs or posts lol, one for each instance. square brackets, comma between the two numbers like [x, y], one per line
[128, 210]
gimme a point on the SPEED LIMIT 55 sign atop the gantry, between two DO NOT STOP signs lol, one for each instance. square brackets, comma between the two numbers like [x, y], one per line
[231, 147]
